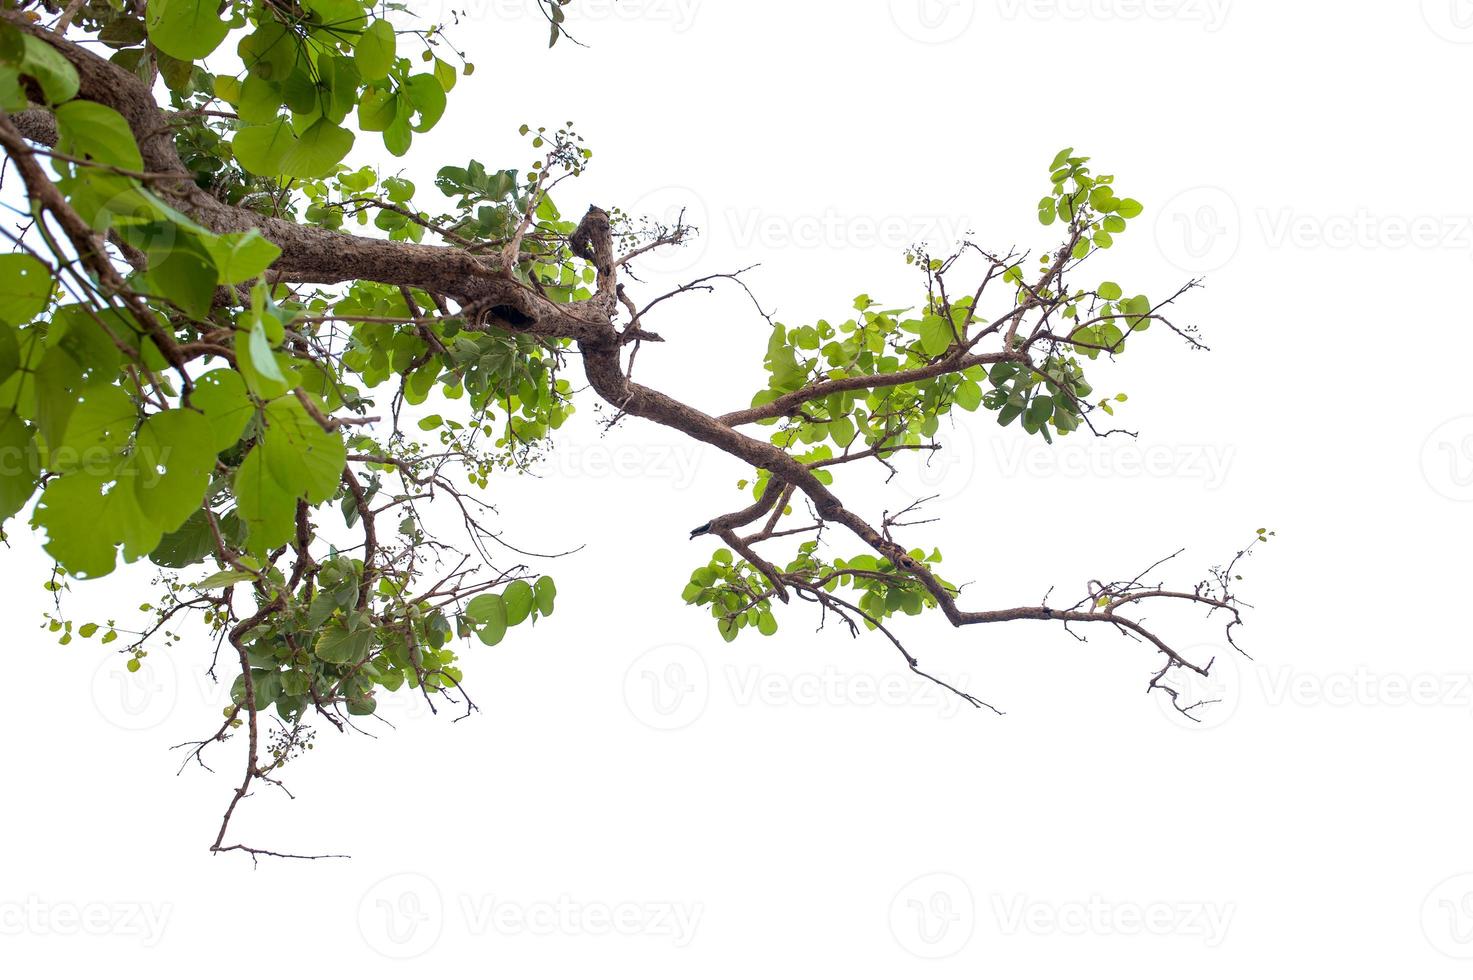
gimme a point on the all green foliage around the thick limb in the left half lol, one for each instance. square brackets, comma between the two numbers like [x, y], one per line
[211, 466]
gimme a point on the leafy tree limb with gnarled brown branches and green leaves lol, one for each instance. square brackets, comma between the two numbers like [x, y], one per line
[201, 368]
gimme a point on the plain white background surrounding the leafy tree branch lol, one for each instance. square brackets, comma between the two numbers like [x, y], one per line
[758, 807]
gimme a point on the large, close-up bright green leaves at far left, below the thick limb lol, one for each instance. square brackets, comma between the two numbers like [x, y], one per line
[73, 377]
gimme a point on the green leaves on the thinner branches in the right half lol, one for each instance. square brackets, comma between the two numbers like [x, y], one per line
[1048, 396]
